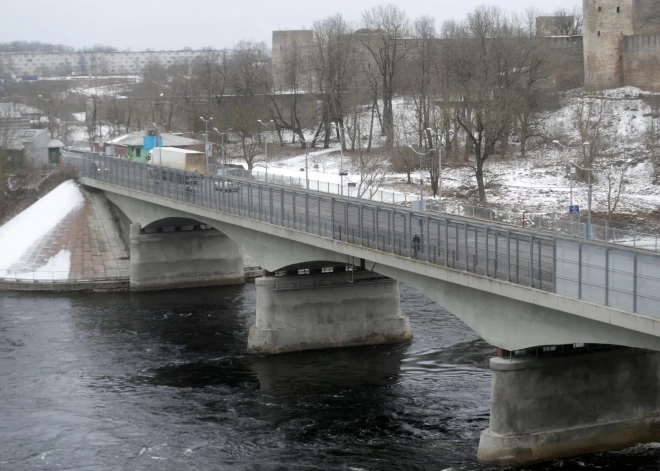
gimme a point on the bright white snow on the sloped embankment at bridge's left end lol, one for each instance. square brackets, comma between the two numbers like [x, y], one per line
[21, 233]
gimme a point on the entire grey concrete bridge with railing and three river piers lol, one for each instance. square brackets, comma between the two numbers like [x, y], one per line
[558, 310]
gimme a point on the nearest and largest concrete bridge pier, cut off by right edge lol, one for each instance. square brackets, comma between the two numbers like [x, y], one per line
[566, 406]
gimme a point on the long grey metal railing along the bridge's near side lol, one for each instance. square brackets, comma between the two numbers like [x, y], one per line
[626, 278]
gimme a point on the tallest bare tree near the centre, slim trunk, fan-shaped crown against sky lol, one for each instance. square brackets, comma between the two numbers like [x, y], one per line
[385, 40]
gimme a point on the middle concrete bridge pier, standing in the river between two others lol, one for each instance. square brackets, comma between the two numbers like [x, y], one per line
[307, 313]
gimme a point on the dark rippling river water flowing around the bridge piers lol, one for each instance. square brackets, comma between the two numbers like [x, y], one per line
[161, 381]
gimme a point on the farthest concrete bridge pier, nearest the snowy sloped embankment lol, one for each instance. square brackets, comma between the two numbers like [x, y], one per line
[186, 259]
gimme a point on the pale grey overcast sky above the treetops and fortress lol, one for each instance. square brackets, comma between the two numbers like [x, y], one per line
[169, 24]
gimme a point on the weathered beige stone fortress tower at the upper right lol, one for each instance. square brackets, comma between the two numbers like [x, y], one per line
[606, 22]
